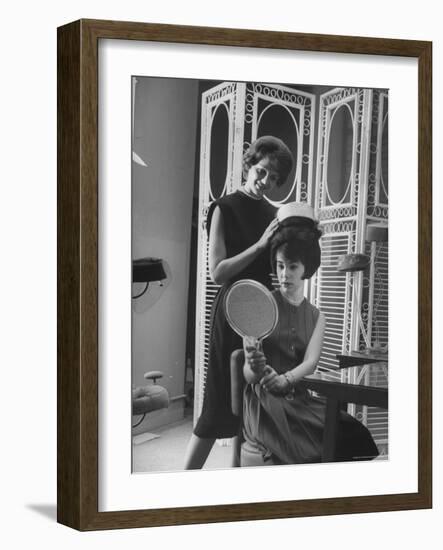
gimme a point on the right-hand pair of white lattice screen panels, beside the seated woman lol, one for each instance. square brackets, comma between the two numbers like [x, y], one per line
[352, 192]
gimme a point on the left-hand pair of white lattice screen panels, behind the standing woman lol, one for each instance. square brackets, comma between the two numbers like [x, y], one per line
[251, 110]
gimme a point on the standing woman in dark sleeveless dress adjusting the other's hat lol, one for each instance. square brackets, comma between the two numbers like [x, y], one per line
[240, 226]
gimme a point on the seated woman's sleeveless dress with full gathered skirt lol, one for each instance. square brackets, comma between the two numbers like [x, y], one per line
[290, 430]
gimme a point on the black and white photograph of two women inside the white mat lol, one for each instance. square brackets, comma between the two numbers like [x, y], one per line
[260, 274]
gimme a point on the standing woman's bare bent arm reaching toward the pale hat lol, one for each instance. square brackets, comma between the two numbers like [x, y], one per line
[221, 268]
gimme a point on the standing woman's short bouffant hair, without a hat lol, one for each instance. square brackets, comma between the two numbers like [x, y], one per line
[276, 150]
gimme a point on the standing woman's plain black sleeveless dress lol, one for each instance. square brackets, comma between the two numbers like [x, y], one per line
[244, 221]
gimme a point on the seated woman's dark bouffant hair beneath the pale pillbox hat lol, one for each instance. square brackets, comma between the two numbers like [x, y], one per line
[298, 240]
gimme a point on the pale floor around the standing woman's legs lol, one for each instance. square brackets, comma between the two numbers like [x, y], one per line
[167, 452]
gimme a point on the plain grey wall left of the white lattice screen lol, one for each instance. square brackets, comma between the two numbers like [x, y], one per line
[165, 118]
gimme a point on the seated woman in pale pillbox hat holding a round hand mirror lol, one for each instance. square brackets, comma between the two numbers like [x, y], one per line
[283, 423]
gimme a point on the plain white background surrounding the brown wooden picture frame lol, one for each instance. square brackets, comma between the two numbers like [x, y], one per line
[28, 308]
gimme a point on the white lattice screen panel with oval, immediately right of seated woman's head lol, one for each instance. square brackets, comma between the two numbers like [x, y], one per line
[340, 195]
